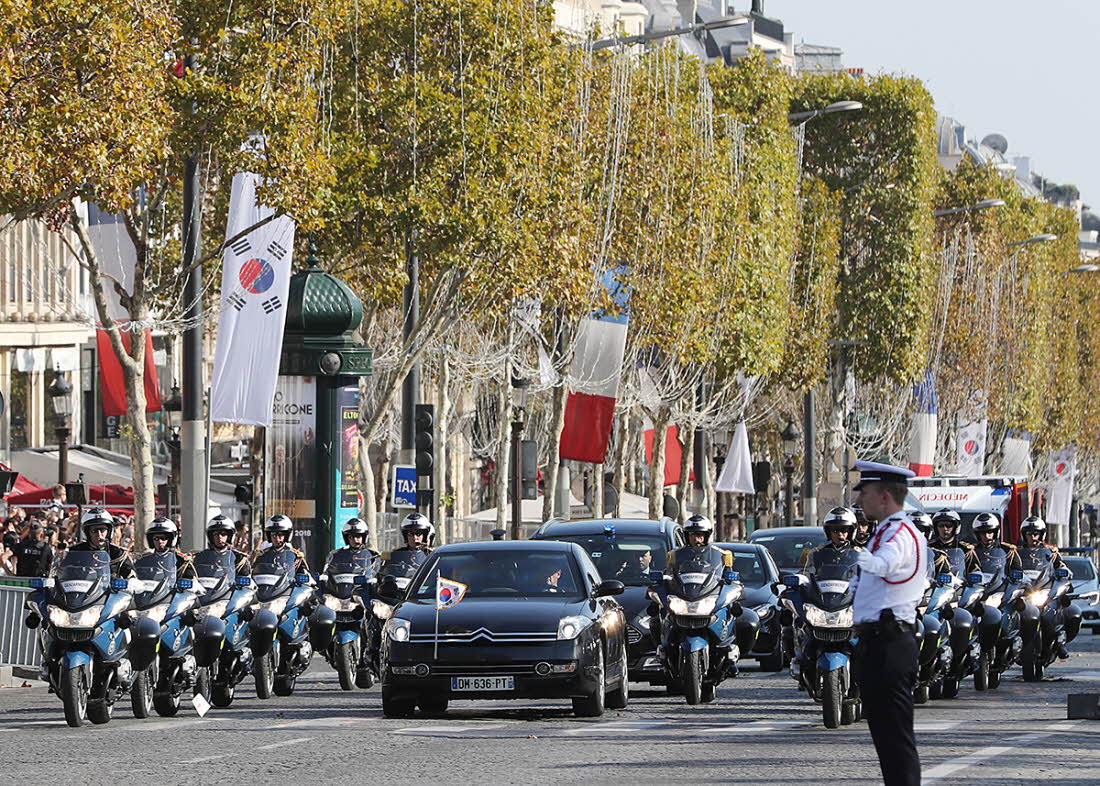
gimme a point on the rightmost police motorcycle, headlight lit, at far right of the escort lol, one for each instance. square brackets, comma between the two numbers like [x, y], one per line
[1050, 592]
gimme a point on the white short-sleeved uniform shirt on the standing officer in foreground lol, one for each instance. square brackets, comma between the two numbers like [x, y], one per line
[893, 572]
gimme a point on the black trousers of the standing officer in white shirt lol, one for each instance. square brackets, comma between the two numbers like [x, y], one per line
[886, 666]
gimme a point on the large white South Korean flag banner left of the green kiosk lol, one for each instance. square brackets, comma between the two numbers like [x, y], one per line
[256, 280]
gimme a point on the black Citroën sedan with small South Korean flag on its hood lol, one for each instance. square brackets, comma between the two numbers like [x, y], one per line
[533, 621]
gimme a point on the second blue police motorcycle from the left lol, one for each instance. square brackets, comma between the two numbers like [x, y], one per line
[161, 650]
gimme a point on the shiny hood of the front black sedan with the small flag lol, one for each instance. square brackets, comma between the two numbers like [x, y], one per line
[499, 615]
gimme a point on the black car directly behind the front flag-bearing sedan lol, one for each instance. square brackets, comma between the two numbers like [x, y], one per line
[626, 550]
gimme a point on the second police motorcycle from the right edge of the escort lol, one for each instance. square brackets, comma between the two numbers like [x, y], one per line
[995, 596]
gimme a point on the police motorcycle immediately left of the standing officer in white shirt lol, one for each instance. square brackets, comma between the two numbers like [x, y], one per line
[823, 622]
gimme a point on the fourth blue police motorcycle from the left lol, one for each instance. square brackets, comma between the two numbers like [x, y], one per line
[278, 633]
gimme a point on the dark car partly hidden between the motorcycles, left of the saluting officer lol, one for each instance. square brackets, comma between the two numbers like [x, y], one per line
[763, 583]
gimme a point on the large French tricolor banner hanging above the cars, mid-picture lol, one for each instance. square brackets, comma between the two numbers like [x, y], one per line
[597, 372]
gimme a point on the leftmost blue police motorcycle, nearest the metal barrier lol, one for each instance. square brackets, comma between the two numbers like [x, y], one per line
[84, 634]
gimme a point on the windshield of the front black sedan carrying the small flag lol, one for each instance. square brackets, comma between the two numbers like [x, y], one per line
[502, 574]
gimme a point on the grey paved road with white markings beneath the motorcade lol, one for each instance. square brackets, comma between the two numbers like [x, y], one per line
[762, 730]
